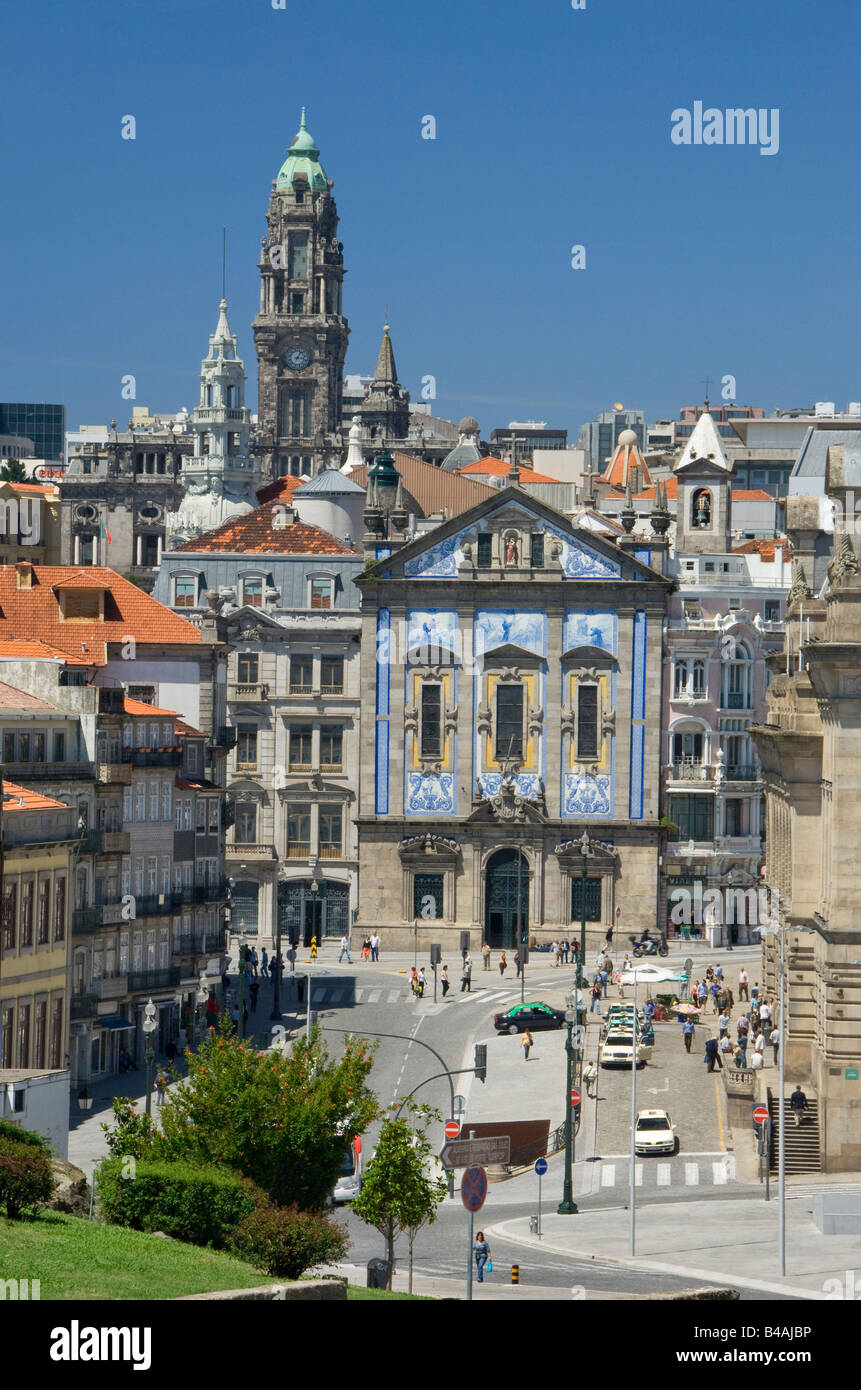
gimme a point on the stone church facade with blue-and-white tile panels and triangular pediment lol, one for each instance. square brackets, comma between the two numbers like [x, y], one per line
[511, 668]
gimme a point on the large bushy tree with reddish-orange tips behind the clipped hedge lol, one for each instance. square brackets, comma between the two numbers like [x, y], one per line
[280, 1118]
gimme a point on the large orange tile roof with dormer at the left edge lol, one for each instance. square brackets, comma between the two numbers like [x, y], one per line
[129, 612]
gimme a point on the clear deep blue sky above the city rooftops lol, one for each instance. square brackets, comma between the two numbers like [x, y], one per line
[553, 130]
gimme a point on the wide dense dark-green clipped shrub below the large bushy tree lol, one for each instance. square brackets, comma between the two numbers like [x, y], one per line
[200, 1206]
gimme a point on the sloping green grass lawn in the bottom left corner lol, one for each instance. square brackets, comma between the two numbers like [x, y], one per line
[77, 1259]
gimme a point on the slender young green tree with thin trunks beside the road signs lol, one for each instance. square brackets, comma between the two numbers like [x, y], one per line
[400, 1193]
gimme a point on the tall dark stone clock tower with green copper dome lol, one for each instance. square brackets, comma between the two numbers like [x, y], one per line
[301, 332]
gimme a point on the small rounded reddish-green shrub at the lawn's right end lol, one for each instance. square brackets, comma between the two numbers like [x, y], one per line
[286, 1242]
